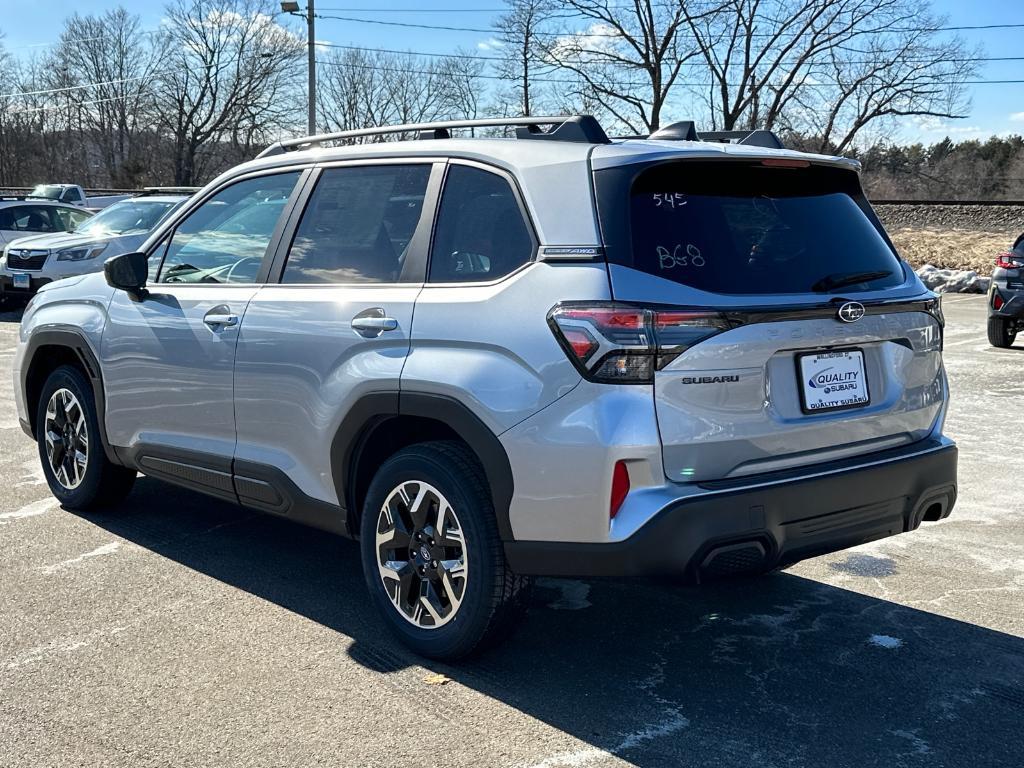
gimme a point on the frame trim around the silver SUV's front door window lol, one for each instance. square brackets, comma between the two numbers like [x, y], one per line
[170, 226]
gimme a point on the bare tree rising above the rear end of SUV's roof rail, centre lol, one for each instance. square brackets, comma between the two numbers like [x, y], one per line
[629, 58]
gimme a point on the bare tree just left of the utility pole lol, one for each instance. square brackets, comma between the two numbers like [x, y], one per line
[229, 76]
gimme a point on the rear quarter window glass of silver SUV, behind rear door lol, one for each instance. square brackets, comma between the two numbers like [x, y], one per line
[481, 232]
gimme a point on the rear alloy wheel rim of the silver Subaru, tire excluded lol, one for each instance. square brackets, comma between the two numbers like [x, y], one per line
[421, 554]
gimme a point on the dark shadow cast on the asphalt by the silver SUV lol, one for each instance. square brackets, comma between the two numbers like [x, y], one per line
[781, 670]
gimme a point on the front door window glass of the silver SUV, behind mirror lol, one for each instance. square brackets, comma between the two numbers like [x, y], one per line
[225, 240]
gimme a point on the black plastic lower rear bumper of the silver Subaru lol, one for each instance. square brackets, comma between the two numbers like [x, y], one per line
[752, 530]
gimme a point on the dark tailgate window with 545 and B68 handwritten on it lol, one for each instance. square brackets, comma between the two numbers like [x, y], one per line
[738, 229]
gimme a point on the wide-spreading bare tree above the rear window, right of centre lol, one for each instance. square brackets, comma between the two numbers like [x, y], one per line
[841, 64]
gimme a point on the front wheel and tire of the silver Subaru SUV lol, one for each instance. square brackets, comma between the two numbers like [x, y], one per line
[81, 486]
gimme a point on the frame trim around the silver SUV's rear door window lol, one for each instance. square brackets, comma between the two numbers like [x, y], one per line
[414, 271]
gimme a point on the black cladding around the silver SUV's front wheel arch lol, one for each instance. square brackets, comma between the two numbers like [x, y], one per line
[48, 352]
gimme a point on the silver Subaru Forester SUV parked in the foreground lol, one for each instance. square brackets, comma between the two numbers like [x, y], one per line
[490, 359]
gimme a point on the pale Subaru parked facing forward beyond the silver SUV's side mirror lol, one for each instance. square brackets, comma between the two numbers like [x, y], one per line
[31, 263]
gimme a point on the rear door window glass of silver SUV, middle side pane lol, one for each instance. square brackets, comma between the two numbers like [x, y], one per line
[358, 226]
